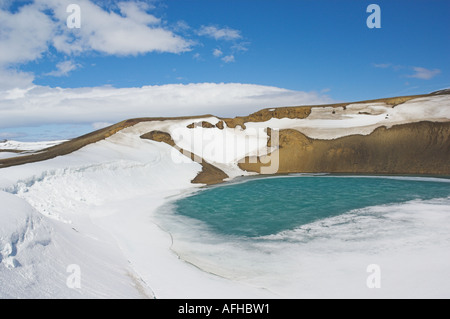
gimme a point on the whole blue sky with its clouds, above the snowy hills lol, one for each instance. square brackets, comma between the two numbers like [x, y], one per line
[312, 51]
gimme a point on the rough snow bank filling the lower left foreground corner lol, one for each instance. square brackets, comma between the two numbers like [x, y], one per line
[35, 254]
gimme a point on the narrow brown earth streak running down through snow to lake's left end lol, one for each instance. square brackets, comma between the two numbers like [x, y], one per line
[209, 174]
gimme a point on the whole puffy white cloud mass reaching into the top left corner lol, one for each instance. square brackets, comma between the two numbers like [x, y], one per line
[28, 33]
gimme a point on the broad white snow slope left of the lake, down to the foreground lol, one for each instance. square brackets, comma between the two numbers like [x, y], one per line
[96, 208]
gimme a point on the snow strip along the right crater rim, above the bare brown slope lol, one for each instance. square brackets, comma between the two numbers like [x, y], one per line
[323, 124]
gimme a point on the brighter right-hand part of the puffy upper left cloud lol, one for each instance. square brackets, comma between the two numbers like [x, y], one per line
[134, 32]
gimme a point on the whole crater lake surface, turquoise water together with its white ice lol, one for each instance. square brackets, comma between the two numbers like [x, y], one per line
[313, 235]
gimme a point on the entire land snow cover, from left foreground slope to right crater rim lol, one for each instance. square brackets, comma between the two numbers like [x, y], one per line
[96, 208]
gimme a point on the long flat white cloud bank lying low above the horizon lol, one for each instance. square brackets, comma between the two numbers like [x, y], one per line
[43, 105]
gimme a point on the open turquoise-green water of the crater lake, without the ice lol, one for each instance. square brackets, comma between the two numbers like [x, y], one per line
[267, 206]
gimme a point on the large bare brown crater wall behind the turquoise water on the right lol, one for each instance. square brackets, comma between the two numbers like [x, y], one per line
[414, 148]
